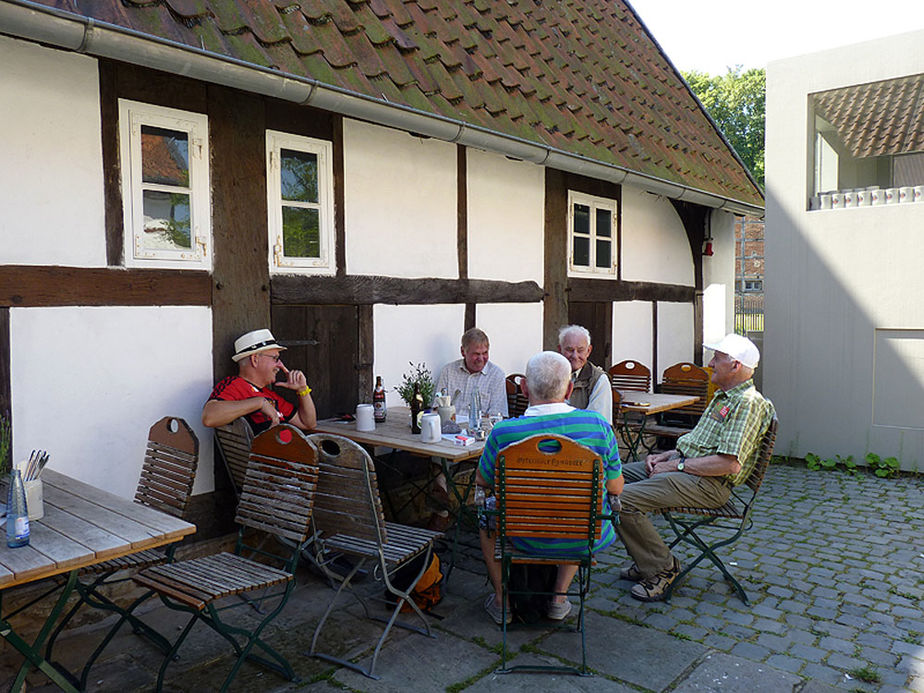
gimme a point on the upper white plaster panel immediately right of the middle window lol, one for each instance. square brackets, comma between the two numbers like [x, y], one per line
[400, 210]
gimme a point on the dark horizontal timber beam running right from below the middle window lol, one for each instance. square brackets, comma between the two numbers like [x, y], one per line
[365, 290]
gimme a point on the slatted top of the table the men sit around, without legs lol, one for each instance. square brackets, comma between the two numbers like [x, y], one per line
[395, 433]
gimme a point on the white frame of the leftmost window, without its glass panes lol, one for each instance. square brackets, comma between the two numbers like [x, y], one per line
[132, 116]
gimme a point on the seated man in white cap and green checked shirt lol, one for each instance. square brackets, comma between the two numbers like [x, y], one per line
[718, 454]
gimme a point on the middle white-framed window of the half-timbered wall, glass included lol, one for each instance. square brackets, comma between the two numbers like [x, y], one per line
[300, 203]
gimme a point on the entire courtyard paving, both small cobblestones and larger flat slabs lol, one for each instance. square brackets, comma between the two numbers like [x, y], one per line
[834, 568]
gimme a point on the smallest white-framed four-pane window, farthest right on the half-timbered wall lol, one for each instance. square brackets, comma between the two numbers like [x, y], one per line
[591, 234]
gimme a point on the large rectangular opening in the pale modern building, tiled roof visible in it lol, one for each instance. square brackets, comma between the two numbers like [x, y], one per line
[868, 144]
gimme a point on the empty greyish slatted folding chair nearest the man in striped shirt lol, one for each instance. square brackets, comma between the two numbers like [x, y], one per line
[348, 518]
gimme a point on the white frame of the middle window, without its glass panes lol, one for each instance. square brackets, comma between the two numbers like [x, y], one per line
[278, 262]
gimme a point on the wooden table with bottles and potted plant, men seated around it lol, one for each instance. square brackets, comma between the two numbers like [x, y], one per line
[395, 433]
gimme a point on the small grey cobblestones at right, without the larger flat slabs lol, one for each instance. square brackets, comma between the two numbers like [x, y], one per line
[834, 569]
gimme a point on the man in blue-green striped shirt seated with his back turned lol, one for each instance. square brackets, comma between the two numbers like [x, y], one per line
[547, 386]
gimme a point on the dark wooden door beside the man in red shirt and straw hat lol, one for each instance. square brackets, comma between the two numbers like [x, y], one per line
[324, 342]
